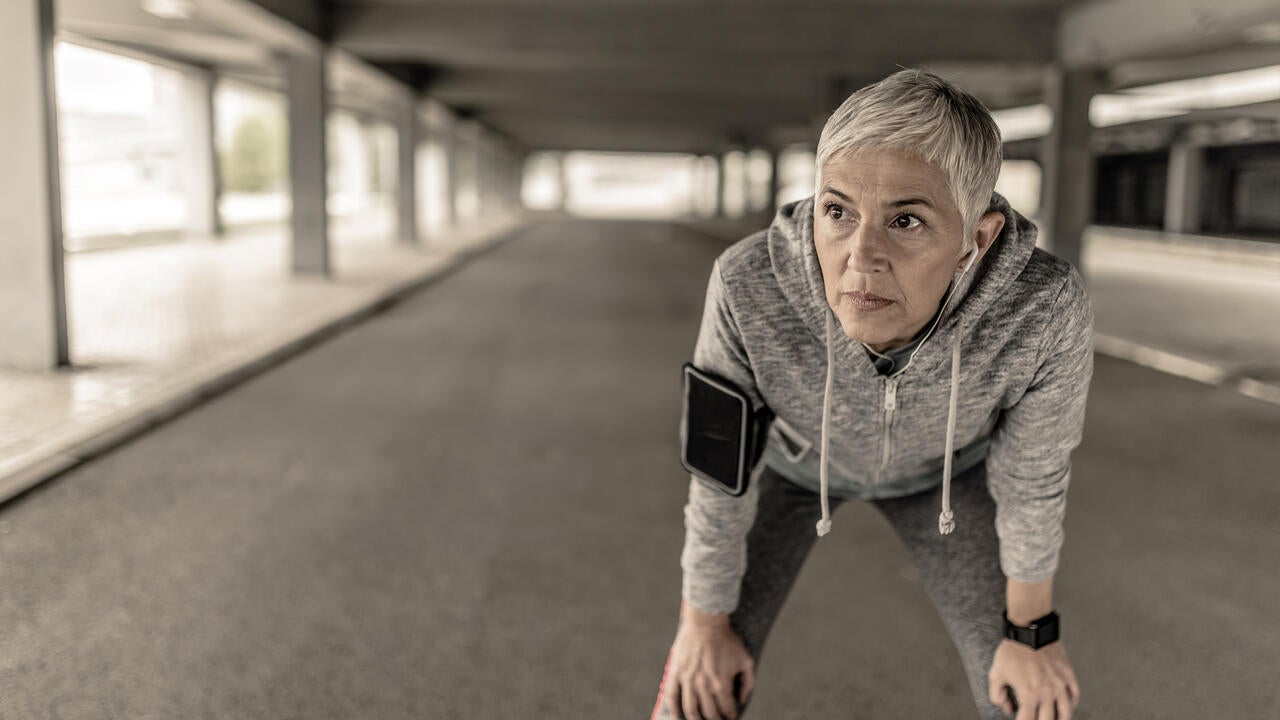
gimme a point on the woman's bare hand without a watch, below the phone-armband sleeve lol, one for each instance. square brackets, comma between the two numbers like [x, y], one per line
[706, 658]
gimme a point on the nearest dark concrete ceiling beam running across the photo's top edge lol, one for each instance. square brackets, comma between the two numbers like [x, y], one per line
[670, 38]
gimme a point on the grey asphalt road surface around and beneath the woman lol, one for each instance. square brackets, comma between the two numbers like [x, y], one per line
[470, 507]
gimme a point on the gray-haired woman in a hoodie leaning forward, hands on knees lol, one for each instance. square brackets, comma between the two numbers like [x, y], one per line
[906, 320]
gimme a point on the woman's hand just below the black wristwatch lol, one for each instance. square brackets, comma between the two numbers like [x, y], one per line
[1041, 680]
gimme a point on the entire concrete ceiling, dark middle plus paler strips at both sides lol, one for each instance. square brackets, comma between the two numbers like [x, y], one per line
[689, 75]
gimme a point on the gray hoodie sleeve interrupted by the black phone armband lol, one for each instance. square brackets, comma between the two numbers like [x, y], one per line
[716, 525]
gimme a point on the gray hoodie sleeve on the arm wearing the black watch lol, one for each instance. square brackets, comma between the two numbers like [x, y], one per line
[1030, 463]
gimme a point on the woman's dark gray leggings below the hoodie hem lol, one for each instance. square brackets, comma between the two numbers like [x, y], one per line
[961, 572]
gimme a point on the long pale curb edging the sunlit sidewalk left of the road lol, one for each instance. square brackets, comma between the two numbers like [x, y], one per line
[31, 470]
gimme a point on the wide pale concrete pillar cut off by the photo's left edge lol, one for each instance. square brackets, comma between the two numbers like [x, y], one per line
[33, 291]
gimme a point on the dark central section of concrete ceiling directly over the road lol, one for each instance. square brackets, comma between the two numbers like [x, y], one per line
[688, 76]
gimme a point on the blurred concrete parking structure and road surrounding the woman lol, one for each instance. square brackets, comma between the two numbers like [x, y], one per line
[350, 331]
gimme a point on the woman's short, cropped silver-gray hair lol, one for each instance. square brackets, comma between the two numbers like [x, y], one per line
[926, 116]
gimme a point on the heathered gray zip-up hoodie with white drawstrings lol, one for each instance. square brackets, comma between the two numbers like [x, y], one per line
[1003, 377]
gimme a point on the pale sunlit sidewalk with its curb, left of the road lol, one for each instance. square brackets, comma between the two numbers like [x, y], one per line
[157, 329]
